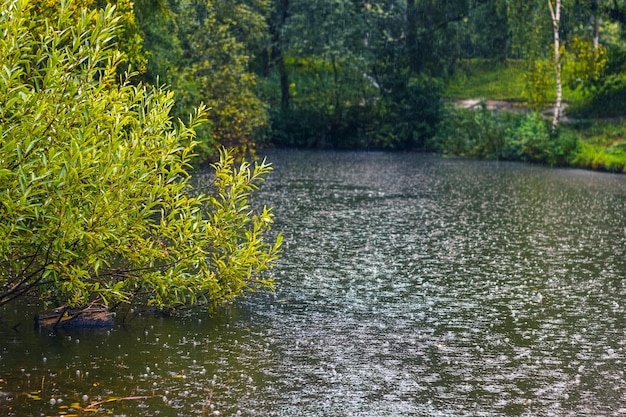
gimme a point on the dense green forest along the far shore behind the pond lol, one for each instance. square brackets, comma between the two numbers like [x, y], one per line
[354, 74]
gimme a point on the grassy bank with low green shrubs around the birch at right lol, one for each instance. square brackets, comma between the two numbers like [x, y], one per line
[593, 137]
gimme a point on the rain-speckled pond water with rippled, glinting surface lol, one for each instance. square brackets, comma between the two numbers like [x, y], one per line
[410, 285]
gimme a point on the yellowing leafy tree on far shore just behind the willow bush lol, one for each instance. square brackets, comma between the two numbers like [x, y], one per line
[216, 61]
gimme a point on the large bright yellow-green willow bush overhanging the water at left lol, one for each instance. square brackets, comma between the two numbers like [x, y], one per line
[95, 197]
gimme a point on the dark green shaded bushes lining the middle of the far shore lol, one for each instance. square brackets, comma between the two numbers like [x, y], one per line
[399, 114]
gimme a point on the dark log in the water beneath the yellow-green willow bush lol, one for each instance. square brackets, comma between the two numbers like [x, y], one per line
[92, 316]
